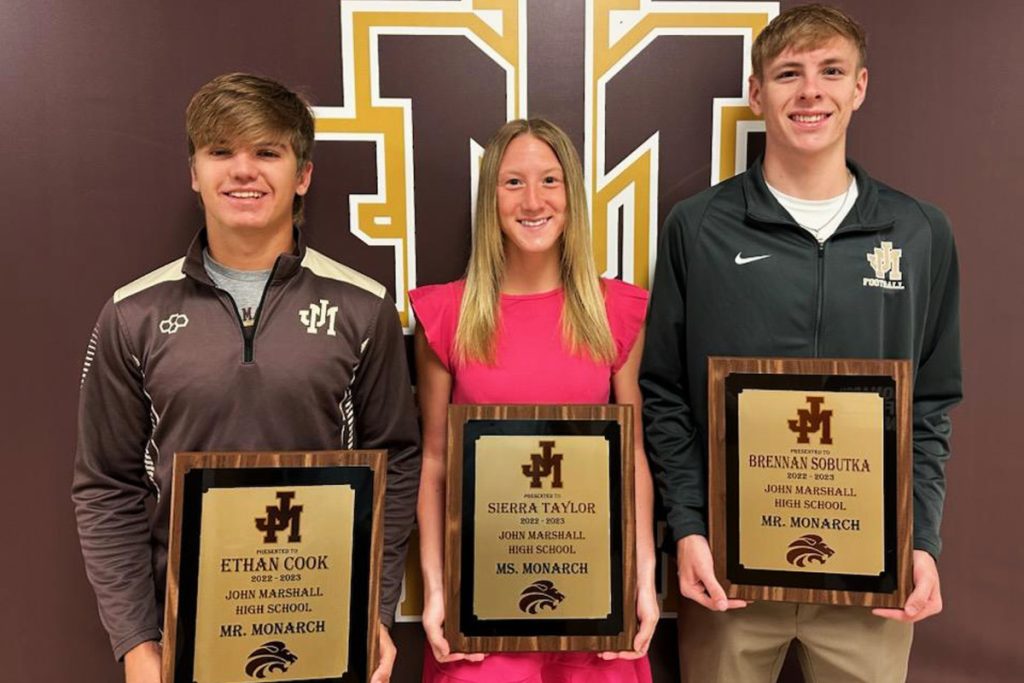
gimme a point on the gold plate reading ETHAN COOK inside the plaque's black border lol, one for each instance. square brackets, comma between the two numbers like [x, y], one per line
[253, 591]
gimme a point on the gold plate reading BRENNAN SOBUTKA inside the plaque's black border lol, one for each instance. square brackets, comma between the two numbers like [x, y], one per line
[790, 492]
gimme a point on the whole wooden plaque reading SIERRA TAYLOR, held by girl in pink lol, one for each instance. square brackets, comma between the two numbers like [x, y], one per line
[540, 535]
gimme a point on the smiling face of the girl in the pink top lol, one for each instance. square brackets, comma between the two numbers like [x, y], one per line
[531, 197]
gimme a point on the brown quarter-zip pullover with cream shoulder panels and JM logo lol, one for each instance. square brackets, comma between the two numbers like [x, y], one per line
[170, 368]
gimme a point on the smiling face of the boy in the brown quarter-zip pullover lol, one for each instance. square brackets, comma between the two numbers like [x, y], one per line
[249, 187]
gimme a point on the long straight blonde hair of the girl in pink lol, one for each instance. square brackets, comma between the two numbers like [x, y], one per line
[585, 323]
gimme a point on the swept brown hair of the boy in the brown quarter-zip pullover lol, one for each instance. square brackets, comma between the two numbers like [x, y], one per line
[248, 108]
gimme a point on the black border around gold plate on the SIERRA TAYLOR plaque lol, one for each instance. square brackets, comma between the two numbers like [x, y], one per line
[474, 627]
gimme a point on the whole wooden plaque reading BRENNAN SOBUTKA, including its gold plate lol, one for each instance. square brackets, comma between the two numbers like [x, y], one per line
[810, 480]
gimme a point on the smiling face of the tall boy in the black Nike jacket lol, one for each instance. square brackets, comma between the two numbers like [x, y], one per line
[807, 100]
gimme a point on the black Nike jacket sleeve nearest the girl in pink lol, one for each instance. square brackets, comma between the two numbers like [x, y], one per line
[671, 432]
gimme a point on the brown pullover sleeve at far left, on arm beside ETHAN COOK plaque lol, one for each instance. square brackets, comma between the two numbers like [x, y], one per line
[110, 487]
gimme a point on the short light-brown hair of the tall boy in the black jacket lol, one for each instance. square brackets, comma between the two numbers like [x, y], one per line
[805, 28]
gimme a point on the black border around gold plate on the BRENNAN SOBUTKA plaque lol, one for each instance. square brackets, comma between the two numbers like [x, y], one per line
[887, 582]
